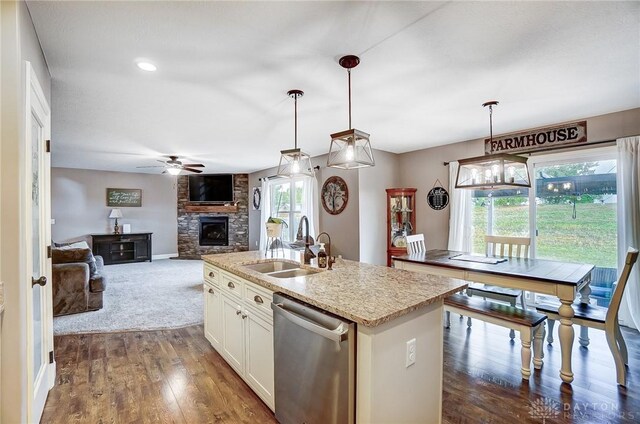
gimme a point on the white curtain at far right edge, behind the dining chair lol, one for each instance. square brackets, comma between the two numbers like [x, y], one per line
[628, 199]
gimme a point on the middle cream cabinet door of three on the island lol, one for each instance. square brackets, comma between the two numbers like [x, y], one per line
[232, 333]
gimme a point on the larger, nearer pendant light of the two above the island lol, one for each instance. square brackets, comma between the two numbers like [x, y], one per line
[350, 149]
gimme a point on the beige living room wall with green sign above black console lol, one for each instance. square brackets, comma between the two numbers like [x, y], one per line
[78, 203]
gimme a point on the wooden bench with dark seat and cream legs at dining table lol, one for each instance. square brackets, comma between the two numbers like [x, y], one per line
[530, 324]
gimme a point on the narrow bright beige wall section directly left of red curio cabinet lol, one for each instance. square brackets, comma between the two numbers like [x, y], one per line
[373, 205]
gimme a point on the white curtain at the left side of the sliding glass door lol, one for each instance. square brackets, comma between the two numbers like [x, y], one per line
[460, 204]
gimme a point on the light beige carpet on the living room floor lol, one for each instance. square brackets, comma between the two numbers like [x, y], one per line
[154, 295]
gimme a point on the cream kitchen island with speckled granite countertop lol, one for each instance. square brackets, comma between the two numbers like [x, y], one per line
[389, 306]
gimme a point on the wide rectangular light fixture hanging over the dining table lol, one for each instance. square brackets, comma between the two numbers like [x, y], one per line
[494, 171]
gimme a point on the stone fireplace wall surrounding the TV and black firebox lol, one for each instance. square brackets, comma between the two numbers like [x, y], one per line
[189, 222]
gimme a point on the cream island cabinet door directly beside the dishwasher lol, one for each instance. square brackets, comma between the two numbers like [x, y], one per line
[259, 364]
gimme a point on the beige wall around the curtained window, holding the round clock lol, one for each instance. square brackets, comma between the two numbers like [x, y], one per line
[343, 228]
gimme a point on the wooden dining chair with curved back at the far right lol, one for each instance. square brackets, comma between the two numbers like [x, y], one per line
[602, 318]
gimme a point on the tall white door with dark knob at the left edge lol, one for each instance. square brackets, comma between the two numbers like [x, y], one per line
[41, 369]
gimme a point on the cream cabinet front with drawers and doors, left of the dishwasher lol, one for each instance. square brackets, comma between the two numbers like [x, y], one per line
[239, 325]
